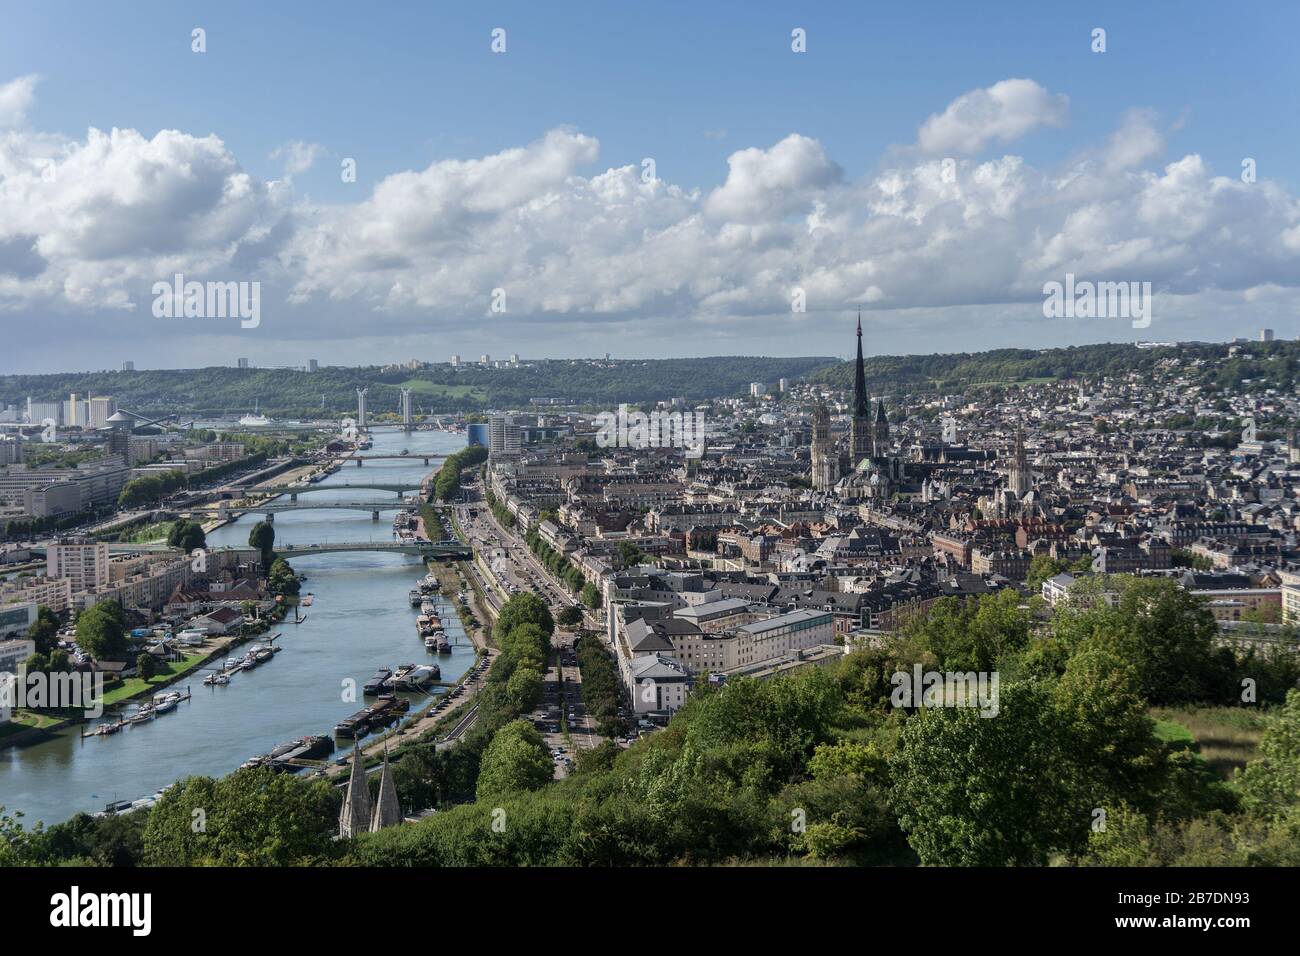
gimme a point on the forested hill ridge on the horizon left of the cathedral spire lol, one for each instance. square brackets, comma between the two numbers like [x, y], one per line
[292, 393]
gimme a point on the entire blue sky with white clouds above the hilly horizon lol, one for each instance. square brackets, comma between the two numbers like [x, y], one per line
[645, 180]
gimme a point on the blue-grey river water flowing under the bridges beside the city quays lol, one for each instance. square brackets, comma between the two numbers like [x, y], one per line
[361, 620]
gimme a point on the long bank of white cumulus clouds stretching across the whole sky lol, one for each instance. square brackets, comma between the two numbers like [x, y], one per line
[90, 224]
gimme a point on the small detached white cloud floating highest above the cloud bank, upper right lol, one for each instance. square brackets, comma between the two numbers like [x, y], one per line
[1003, 113]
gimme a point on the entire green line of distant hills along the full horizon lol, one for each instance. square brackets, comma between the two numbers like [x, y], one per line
[291, 393]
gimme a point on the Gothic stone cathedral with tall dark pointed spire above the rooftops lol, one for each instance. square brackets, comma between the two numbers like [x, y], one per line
[868, 471]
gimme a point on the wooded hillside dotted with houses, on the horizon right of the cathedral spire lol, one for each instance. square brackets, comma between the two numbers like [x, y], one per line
[1266, 365]
